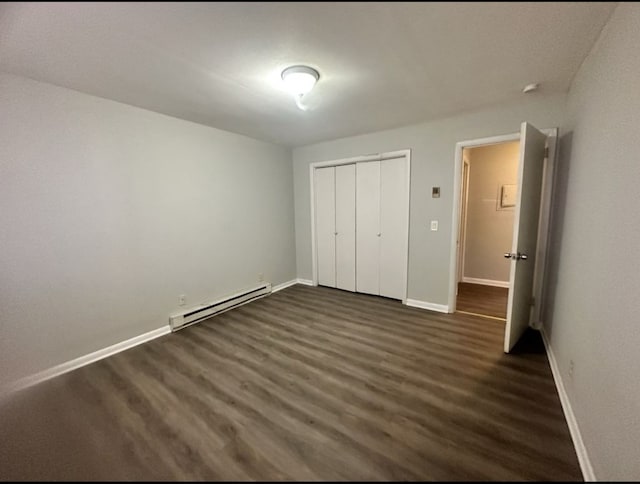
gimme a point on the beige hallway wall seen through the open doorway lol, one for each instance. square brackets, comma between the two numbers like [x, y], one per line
[489, 228]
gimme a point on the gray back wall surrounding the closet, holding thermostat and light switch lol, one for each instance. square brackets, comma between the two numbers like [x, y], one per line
[432, 164]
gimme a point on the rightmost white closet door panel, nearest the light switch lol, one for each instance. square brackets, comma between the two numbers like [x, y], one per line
[393, 227]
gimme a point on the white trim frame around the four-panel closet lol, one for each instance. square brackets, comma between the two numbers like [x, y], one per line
[355, 160]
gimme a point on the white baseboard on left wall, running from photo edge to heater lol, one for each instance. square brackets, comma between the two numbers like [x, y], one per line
[84, 360]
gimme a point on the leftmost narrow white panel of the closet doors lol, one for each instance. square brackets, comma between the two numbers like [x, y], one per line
[325, 225]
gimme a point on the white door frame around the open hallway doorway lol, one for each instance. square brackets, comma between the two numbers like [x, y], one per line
[543, 223]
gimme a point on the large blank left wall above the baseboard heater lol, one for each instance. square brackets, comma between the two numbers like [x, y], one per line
[109, 212]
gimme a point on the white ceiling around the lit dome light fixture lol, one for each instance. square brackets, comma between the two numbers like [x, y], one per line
[382, 65]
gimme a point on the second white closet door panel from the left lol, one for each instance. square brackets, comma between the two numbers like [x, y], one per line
[346, 227]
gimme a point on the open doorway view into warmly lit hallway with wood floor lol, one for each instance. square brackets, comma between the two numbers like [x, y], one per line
[489, 177]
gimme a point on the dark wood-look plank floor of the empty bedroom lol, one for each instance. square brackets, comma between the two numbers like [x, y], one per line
[306, 384]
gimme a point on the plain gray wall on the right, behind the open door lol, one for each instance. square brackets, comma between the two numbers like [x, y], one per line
[593, 314]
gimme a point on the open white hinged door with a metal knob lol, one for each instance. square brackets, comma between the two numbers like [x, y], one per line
[525, 233]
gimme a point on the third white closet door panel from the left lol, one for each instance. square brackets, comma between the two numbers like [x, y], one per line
[367, 227]
